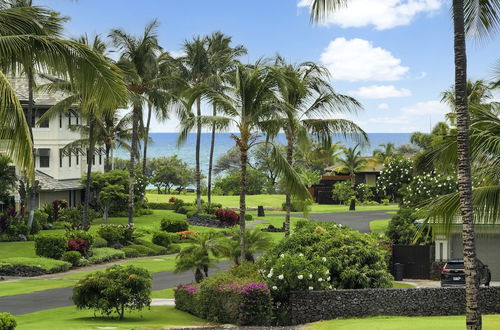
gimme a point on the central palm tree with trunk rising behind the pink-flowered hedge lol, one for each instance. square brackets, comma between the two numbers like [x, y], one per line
[247, 102]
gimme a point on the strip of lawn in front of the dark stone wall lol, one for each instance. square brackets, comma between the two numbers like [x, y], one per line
[407, 323]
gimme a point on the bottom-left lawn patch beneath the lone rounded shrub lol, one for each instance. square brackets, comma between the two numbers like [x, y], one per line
[71, 318]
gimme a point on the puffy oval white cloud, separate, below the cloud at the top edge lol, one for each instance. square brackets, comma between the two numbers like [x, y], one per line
[358, 60]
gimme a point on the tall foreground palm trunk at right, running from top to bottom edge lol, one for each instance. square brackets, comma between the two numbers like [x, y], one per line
[473, 314]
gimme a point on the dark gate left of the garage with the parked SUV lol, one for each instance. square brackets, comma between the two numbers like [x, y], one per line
[417, 260]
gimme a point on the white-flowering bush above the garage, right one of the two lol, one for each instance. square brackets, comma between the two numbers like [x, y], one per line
[427, 186]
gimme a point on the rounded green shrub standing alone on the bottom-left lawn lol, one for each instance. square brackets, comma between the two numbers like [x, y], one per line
[114, 290]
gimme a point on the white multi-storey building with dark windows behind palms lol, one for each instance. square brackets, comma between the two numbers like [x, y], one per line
[59, 174]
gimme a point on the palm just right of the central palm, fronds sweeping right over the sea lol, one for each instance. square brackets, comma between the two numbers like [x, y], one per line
[307, 97]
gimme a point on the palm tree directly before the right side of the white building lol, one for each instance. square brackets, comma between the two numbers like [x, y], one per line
[84, 92]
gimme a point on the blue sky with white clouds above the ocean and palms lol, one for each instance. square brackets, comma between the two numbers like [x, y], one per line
[394, 56]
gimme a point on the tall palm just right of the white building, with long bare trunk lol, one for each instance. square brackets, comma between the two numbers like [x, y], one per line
[138, 60]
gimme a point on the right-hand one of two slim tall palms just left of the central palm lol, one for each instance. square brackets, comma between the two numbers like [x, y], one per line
[222, 59]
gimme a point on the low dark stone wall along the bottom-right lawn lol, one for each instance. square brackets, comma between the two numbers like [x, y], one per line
[311, 306]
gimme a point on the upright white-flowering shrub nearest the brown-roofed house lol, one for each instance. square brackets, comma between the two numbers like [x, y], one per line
[397, 173]
